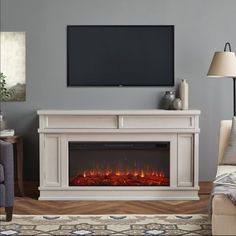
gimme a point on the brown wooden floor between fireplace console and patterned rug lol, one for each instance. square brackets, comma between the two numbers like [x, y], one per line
[30, 205]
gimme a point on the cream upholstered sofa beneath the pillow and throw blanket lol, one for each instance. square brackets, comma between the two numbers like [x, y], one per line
[223, 210]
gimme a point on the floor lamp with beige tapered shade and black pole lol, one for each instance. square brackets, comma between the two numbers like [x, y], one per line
[224, 65]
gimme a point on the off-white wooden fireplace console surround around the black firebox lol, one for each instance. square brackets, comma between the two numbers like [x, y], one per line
[179, 129]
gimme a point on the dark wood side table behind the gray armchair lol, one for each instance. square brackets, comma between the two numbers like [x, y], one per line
[18, 141]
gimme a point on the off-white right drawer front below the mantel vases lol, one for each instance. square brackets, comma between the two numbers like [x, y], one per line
[148, 122]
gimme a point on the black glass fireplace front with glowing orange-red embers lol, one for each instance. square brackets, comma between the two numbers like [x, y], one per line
[119, 163]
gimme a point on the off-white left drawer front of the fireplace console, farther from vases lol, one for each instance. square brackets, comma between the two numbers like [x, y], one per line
[82, 122]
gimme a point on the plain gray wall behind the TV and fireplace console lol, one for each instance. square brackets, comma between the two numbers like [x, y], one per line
[201, 27]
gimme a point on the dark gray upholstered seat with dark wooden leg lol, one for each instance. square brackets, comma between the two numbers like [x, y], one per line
[6, 178]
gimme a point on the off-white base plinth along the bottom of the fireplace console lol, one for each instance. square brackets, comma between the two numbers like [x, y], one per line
[116, 193]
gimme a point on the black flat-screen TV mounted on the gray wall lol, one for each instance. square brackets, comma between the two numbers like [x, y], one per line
[127, 55]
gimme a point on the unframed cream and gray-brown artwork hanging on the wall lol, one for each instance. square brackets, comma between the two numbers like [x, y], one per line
[12, 86]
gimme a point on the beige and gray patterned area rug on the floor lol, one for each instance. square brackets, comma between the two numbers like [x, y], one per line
[107, 225]
